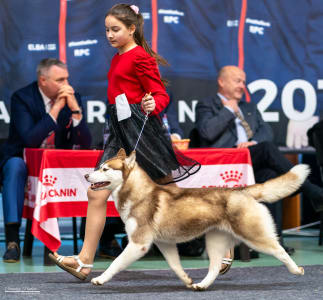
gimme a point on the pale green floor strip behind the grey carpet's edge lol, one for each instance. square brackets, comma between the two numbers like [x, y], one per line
[307, 252]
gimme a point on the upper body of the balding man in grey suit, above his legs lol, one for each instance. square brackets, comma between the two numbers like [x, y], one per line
[216, 118]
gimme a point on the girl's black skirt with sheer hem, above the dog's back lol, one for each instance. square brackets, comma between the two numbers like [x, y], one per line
[154, 151]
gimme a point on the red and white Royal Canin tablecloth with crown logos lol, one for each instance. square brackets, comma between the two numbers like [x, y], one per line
[57, 187]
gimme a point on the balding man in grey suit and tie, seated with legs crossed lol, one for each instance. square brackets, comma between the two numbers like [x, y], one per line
[224, 121]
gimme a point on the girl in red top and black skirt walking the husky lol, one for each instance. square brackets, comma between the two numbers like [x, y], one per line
[135, 90]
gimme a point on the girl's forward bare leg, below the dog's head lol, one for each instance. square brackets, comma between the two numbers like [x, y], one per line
[95, 220]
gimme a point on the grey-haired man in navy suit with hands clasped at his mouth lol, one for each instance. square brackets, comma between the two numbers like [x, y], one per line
[48, 114]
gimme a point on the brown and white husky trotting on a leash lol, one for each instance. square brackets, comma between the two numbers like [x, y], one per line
[166, 215]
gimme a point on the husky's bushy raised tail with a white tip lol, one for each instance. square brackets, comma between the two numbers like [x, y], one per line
[280, 187]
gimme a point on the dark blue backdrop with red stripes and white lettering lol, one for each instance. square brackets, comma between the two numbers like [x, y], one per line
[278, 44]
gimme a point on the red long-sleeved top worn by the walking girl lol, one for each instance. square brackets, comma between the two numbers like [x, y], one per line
[135, 73]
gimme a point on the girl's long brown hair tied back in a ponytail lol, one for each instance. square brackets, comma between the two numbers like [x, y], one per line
[125, 14]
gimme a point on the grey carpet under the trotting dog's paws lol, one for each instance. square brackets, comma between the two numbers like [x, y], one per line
[239, 283]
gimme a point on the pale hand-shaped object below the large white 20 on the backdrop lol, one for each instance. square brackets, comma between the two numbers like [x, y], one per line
[297, 132]
